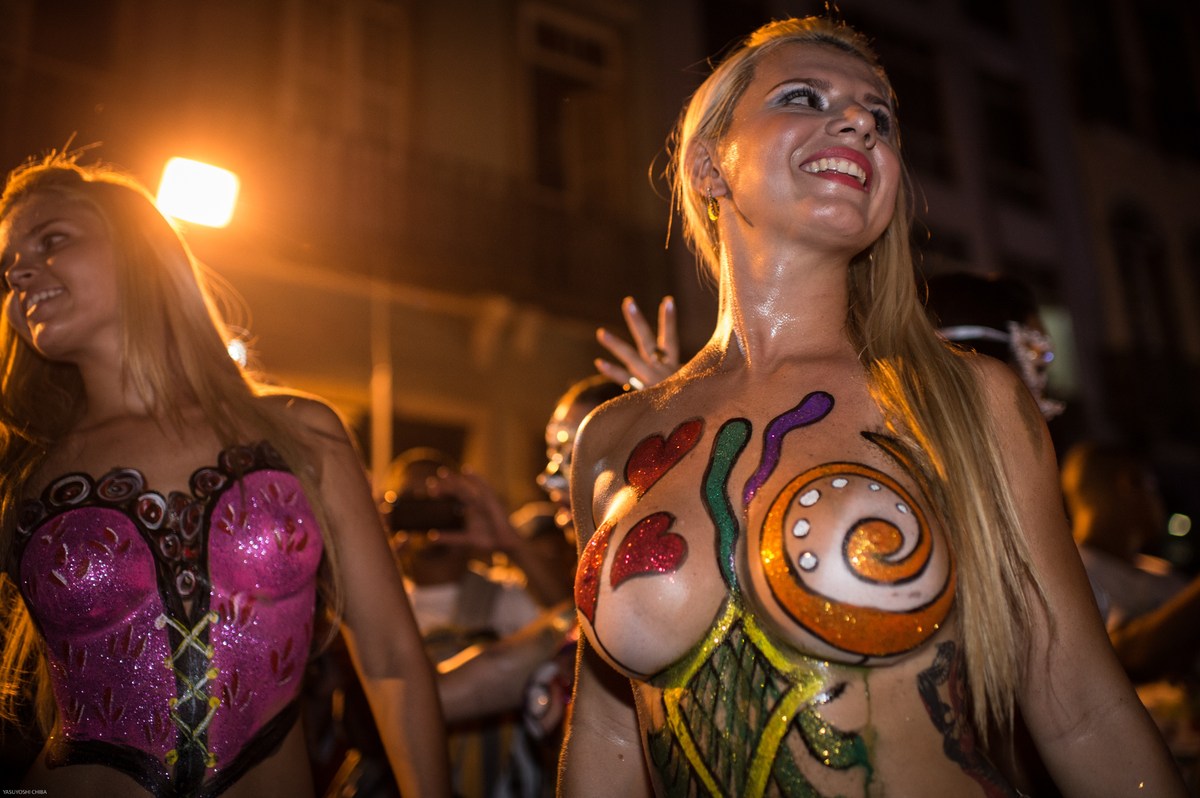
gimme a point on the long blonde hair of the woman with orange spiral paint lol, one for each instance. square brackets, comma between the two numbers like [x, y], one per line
[927, 392]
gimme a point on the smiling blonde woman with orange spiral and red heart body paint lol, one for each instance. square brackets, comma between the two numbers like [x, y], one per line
[818, 554]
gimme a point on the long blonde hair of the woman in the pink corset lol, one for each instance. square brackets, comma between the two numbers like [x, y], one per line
[175, 347]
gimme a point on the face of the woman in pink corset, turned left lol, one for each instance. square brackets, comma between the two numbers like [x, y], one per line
[61, 269]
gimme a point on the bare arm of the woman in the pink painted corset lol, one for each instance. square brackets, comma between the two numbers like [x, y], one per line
[377, 622]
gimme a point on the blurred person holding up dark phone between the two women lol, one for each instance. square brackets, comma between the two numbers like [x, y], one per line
[487, 637]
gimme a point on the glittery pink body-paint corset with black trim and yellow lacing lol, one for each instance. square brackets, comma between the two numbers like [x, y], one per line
[177, 627]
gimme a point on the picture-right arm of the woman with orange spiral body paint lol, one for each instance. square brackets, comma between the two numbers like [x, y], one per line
[1087, 721]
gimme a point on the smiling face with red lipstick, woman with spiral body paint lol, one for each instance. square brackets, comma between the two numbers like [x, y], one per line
[811, 154]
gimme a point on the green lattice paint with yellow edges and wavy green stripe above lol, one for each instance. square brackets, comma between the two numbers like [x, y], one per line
[701, 716]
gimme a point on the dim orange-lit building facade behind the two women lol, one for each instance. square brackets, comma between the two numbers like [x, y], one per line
[443, 200]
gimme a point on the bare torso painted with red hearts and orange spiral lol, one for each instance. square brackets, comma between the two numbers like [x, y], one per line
[769, 573]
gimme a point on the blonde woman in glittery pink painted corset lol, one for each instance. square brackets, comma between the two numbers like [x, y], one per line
[173, 527]
